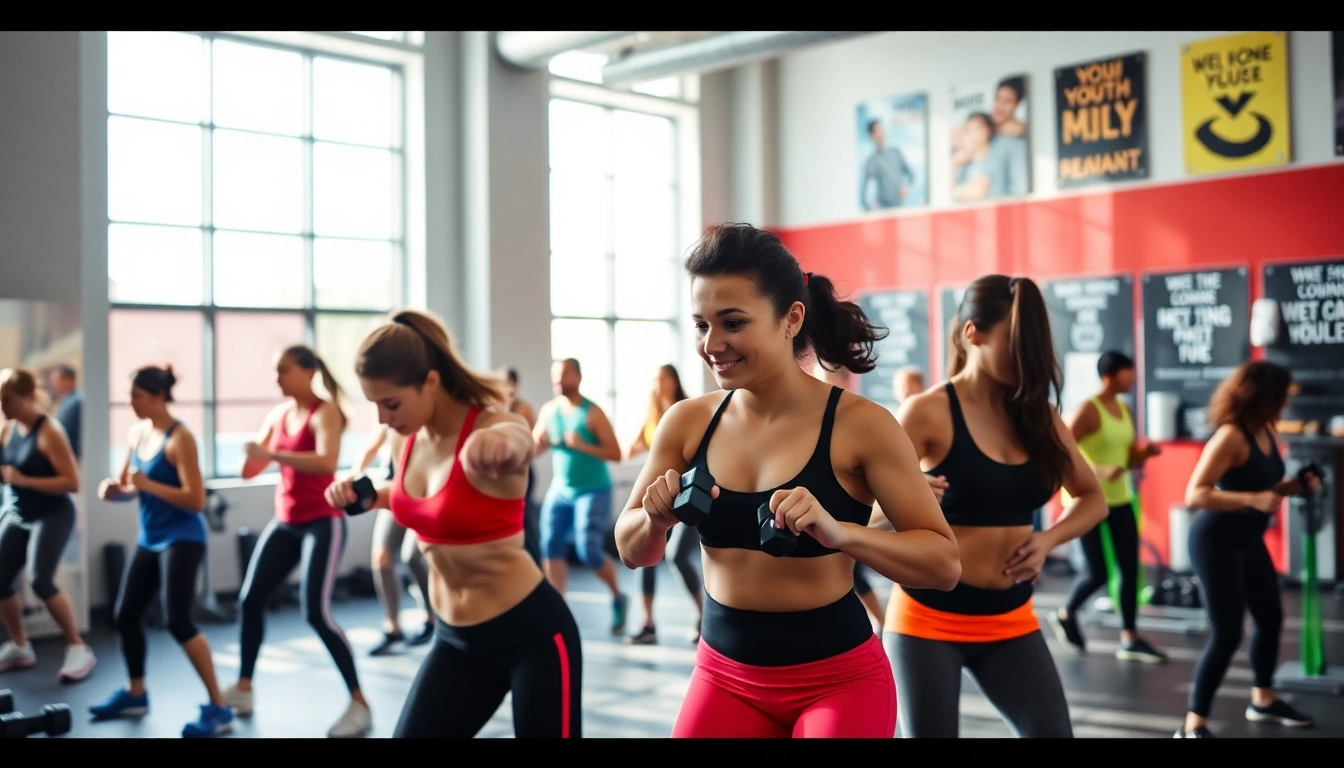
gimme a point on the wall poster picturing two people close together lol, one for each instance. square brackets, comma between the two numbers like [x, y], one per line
[990, 151]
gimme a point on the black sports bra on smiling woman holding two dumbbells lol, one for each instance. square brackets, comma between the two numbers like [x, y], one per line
[733, 516]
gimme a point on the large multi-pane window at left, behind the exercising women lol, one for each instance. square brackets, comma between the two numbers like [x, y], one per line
[256, 201]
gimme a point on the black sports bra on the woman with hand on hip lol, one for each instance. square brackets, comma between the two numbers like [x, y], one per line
[983, 492]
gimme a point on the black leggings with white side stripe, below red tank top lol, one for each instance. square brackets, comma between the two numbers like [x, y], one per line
[318, 548]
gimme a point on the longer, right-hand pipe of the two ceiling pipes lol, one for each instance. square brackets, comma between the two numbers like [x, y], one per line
[712, 54]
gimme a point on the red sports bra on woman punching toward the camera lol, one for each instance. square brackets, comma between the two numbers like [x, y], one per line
[458, 514]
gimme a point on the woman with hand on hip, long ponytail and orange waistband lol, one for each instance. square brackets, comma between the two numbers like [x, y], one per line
[995, 435]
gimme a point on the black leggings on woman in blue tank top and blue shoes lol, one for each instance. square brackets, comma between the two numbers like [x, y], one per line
[143, 584]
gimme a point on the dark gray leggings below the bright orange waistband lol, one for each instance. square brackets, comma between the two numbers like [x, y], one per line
[1017, 676]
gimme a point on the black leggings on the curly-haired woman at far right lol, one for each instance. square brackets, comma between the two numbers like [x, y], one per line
[1236, 574]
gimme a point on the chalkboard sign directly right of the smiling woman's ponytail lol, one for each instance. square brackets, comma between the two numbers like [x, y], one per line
[905, 314]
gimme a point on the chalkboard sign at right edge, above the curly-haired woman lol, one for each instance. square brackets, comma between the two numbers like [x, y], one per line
[1311, 336]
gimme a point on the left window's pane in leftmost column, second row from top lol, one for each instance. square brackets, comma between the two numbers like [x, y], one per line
[154, 173]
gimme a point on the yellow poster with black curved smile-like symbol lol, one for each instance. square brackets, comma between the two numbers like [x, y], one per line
[1234, 102]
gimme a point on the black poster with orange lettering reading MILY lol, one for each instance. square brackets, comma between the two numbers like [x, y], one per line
[1101, 122]
